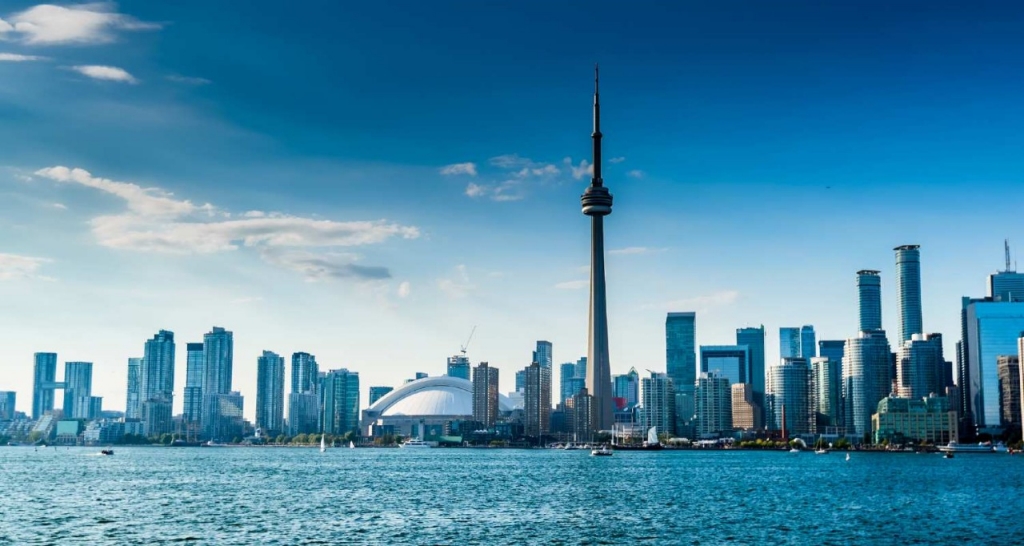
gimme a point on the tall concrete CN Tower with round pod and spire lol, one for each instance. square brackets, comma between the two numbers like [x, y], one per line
[596, 203]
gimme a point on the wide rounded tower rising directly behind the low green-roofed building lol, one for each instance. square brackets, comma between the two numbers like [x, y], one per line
[920, 367]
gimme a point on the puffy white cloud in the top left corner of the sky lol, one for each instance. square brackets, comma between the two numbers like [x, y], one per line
[83, 24]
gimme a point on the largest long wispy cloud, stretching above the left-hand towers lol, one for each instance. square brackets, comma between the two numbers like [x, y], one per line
[157, 222]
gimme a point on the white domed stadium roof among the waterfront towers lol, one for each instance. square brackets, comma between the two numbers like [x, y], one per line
[429, 404]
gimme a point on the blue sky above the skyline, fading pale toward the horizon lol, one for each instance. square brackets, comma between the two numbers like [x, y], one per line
[367, 182]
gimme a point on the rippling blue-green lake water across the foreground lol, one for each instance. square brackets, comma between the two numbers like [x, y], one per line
[374, 496]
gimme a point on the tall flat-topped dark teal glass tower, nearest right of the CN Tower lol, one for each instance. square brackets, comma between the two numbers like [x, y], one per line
[681, 366]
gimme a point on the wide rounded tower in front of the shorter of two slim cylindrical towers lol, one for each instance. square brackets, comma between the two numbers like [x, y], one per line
[867, 380]
